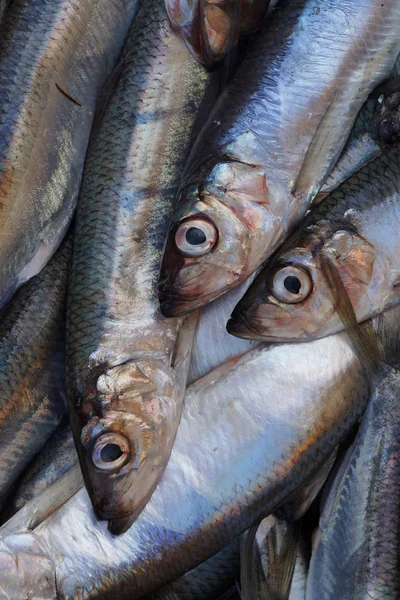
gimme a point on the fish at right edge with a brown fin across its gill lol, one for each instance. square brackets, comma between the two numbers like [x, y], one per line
[356, 226]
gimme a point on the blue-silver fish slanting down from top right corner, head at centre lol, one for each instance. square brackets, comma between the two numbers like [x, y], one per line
[272, 137]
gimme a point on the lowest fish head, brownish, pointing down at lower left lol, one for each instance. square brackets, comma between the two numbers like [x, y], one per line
[125, 443]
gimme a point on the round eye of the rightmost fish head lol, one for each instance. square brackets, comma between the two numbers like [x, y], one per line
[291, 284]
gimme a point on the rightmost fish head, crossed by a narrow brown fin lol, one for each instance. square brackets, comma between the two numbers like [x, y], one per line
[290, 300]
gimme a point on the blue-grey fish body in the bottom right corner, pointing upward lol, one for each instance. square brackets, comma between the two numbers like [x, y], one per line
[356, 549]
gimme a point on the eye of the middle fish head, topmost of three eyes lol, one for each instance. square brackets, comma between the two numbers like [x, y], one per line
[195, 237]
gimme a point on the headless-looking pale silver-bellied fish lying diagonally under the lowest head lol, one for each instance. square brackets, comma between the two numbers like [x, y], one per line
[247, 440]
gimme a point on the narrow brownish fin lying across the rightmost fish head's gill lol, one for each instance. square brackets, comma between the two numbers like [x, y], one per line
[362, 335]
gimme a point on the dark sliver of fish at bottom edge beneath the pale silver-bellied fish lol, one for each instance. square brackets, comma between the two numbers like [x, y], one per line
[208, 581]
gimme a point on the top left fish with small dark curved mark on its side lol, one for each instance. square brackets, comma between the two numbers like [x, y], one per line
[55, 57]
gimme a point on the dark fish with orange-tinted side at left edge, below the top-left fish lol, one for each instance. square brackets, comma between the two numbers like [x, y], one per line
[32, 382]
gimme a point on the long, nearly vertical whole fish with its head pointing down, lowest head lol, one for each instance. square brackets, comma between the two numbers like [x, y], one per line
[126, 365]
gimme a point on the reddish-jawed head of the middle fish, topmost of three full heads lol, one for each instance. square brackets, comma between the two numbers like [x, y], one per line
[218, 236]
